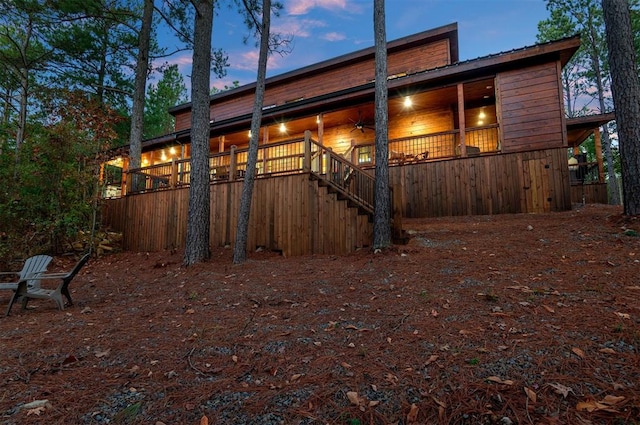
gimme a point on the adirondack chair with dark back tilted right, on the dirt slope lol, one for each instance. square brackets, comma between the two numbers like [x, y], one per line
[56, 294]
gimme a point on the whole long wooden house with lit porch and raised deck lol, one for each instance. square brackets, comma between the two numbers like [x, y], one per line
[484, 136]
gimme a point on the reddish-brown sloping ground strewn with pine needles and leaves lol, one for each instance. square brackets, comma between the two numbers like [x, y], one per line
[510, 319]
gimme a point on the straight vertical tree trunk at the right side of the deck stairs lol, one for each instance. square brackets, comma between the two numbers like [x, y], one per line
[382, 207]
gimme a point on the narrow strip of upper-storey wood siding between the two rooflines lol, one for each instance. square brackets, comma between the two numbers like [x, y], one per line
[349, 75]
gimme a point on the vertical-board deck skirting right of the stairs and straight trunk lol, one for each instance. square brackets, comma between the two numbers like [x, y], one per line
[524, 182]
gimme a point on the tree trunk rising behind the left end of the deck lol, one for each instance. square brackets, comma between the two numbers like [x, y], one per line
[142, 70]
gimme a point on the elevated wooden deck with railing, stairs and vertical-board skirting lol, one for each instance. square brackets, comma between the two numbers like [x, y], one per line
[310, 200]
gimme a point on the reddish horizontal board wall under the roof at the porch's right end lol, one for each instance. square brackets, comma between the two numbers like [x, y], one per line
[530, 108]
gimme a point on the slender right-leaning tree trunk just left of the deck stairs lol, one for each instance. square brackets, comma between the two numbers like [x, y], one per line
[242, 228]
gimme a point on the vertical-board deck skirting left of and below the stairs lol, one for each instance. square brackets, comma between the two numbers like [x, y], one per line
[292, 214]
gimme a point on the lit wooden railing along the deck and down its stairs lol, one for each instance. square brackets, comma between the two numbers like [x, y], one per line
[288, 157]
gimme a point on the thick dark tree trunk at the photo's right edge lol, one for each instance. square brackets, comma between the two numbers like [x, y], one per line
[626, 97]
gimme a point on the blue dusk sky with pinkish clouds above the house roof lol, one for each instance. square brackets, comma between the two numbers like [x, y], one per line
[323, 29]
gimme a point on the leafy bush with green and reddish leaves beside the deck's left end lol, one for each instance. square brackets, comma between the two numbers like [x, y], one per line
[53, 195]
